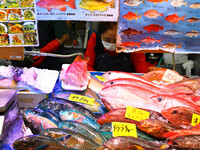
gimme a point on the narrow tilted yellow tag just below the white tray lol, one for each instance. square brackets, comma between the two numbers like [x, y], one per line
[81, 99]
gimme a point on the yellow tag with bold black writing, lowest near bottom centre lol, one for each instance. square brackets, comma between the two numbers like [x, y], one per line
[124, 129]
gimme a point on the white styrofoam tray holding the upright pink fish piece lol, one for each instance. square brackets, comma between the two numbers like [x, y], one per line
[71, 87]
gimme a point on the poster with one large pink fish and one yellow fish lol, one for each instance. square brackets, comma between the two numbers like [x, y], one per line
[80, 10]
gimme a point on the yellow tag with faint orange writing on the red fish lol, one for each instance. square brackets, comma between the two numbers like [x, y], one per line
[136, 114]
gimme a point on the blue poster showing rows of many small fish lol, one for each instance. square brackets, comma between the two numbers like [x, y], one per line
[168, 25]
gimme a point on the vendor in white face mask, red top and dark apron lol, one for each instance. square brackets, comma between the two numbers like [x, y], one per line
[101, 49]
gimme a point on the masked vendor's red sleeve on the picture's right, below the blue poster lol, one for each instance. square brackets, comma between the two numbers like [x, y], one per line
[139, 62]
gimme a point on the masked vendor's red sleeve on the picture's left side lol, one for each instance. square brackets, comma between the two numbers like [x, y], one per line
[90, 52]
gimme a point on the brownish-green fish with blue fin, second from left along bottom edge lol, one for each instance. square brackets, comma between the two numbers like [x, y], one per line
[75, 141]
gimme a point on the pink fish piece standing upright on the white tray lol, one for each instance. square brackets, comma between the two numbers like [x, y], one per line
[76, 74]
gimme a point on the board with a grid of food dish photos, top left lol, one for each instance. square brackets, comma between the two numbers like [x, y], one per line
[18, 25]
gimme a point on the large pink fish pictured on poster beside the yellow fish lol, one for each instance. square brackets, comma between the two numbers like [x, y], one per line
[56, 4]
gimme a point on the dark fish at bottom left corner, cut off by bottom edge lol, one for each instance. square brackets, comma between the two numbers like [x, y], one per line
[38, 142]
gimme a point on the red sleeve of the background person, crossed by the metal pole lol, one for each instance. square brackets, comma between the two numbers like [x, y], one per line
[51, 47]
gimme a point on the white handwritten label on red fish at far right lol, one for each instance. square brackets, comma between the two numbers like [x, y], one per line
[171, 76]
